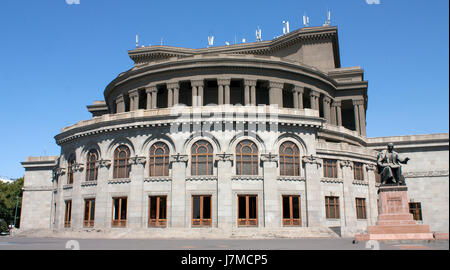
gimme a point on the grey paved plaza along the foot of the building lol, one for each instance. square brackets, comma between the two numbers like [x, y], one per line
[19, 243]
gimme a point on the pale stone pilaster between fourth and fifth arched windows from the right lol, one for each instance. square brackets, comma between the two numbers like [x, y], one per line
[135, 211]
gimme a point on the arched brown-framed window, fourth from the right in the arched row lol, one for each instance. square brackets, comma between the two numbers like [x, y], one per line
[159, 159]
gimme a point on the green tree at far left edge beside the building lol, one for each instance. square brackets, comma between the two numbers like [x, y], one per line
[10, 196]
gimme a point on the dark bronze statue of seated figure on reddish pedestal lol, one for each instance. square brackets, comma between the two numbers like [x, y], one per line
[389, 166]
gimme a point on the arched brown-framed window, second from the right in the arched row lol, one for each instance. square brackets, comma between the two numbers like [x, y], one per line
[246, 158]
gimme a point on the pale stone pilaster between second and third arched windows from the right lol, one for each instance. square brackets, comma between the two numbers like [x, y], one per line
[224, 191]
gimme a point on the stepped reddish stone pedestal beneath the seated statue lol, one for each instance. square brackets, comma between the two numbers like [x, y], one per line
[394, 221]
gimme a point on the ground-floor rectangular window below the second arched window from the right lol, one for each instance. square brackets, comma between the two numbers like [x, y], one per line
[247, 210]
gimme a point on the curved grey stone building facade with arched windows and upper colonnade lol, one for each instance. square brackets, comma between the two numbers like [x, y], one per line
[288, 91]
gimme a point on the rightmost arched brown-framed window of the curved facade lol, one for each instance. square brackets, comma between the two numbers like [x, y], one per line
[289, 159]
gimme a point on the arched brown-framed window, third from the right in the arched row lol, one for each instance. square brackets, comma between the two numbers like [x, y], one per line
[202, 158]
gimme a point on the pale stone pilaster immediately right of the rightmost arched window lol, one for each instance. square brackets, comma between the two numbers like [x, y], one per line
[315, 209]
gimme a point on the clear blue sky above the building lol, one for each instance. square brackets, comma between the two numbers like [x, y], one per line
[57, 58]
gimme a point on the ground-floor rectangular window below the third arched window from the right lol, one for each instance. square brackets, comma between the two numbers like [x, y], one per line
[201, 210]
